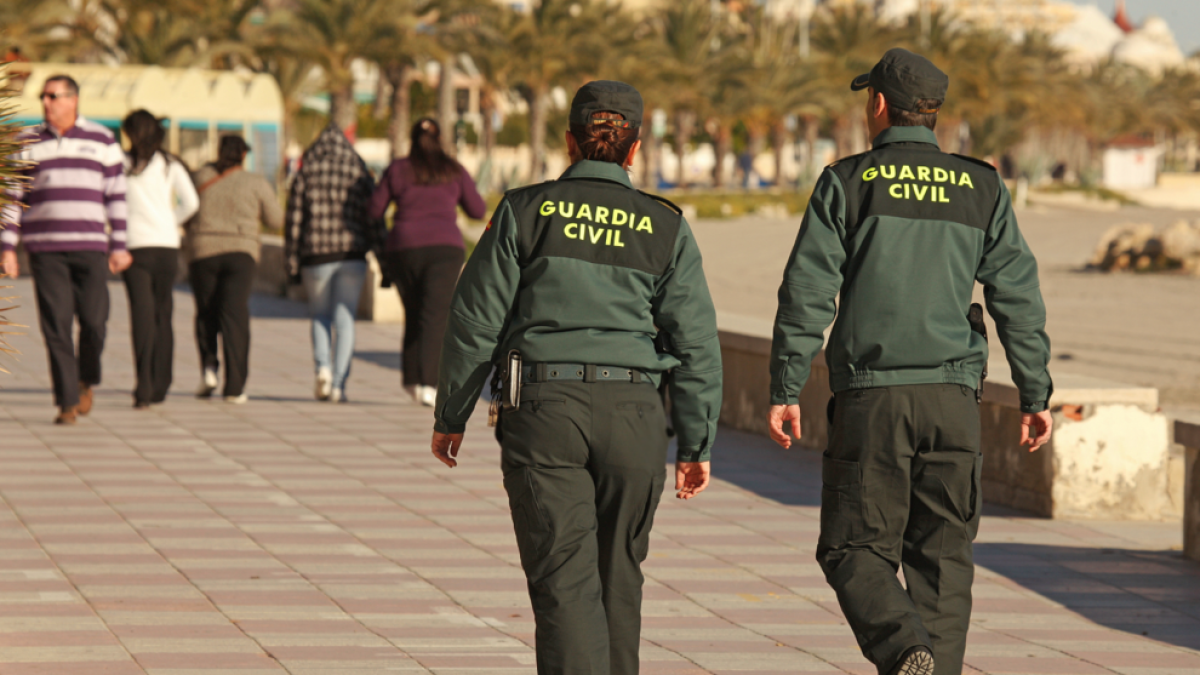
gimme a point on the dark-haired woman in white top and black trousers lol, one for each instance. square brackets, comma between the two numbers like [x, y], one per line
[160, 196]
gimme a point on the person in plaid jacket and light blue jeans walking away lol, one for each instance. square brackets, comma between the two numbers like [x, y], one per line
[327, 237]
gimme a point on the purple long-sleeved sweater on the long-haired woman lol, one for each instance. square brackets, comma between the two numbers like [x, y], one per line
[425, 214]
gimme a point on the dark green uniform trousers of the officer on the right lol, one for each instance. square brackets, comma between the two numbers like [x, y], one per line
[901, 487]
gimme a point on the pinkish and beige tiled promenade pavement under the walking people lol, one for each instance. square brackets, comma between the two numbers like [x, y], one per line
[291, 536]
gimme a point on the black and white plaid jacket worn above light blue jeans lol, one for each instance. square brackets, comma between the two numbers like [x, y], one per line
[328, 204]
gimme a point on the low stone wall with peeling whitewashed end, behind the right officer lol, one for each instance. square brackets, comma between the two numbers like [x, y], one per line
[1109, 457]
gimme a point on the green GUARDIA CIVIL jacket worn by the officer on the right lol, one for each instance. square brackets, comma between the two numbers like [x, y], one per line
[903, 232]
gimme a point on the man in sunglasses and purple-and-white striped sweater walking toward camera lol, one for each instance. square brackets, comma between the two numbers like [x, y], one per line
[76, 189]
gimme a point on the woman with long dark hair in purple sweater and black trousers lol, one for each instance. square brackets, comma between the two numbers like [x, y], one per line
[425, 250]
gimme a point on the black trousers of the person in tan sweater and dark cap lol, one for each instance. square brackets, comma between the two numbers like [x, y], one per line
[223, 285]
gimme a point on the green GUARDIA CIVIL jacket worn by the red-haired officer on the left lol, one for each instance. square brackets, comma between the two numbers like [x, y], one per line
[581, 271]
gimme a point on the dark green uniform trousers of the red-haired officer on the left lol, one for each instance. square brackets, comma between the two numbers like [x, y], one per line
[584, 468]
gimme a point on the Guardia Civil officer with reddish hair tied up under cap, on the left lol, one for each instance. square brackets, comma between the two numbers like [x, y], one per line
[575, 277]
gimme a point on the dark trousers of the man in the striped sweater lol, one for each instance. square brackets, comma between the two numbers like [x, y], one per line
[70, 285]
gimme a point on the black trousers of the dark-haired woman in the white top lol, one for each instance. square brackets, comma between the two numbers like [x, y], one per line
[149, 284]
